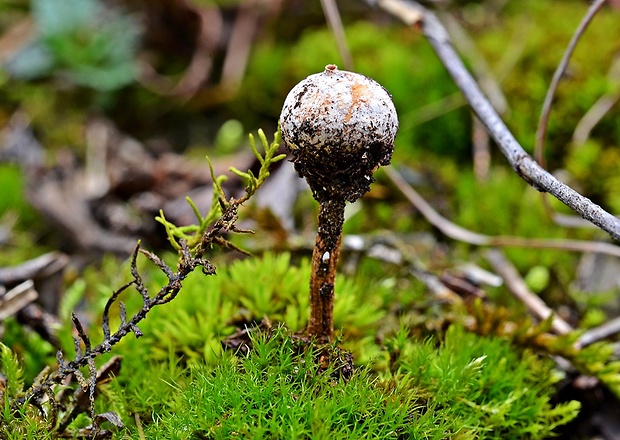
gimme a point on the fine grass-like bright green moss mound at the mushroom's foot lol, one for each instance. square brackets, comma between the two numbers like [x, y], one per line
[276, 393]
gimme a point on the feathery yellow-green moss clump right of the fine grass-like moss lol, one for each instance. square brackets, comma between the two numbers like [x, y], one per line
[483, 385]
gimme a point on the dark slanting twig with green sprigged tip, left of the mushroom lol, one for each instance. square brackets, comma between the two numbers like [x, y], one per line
[189, 260]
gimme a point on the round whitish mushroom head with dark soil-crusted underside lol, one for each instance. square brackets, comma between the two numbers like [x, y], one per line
[340, 127]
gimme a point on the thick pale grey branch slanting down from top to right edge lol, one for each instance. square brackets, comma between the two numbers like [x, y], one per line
[522, 163]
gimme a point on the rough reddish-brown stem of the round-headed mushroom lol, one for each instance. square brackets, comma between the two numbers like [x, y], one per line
[324, 264]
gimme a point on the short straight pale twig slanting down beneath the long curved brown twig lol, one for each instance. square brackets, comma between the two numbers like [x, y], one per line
[519, 289]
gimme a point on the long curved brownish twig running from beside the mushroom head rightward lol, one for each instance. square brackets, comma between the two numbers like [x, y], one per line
[459, 233]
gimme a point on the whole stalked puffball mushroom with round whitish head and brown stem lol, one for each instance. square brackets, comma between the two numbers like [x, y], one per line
[339, 127]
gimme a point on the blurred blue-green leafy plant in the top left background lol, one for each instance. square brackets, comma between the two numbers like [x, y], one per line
[84, 41]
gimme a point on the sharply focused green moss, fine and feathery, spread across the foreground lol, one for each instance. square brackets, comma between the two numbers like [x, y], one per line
[465, 387]
